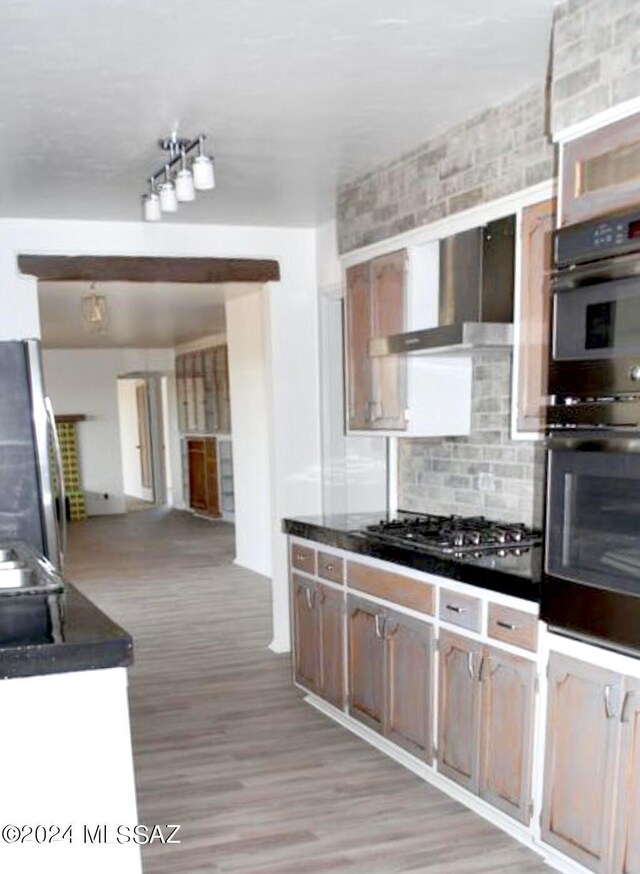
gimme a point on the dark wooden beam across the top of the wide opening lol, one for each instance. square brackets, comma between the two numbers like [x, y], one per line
[90, 268]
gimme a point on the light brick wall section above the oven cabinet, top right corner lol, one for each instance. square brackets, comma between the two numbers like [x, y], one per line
[596, 58]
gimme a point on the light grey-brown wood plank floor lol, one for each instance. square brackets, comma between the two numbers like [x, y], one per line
[225, 746]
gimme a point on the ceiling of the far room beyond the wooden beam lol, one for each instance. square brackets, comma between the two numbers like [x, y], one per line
[141, 315]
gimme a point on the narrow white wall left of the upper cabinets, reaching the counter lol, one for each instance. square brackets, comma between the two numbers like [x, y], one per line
[354, 469]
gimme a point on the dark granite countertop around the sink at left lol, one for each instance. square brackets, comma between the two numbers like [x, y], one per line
[54, 633]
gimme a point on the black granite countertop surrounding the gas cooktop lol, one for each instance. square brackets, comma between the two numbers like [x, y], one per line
[518, 576]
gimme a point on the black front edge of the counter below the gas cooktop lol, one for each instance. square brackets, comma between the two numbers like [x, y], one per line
[441, 566]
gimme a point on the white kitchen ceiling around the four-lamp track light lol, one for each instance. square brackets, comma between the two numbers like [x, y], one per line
[297, 97]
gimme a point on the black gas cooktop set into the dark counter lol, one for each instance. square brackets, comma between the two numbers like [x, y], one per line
[464, 536]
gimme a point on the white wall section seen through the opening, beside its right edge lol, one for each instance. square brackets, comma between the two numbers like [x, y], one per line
[250, 414]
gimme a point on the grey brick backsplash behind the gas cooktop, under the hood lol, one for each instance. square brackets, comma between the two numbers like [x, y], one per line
[486, 473]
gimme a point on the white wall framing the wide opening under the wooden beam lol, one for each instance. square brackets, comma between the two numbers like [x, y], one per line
[292, 315]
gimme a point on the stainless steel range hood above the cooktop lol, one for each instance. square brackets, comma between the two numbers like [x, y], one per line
[475, 299]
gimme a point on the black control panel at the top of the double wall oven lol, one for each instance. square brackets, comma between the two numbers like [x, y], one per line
[599, 238]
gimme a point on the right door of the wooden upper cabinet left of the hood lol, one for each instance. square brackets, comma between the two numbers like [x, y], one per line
[388, 293]
